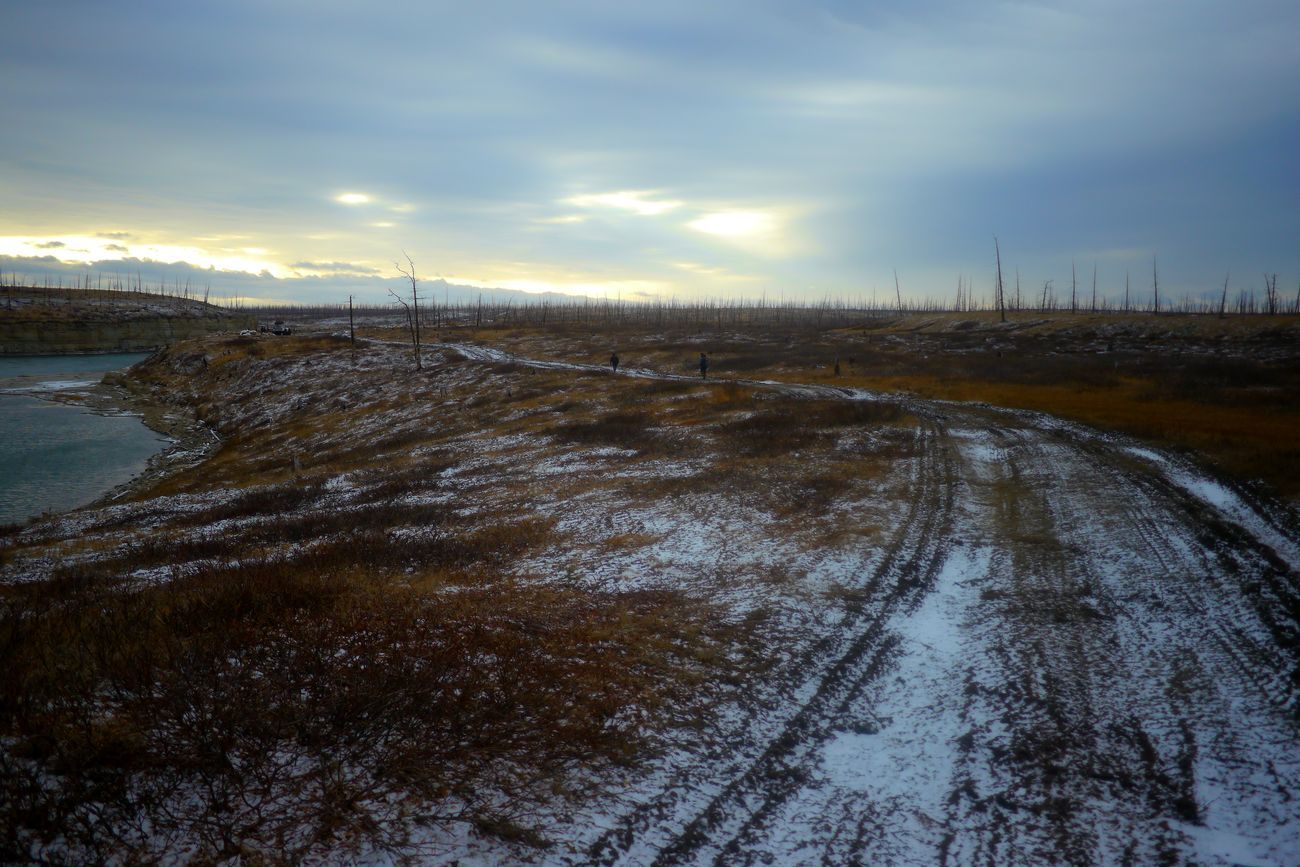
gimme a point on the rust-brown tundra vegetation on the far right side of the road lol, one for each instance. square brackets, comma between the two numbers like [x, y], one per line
[1225, 389]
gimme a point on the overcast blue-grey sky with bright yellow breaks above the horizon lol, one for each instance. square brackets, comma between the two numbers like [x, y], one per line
[292, 151]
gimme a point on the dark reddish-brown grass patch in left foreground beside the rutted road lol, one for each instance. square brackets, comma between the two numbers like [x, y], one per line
[272, 709]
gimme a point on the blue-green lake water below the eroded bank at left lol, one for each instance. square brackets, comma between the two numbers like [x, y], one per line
[57, 457]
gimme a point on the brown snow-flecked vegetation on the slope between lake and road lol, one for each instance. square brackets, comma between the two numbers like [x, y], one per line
[335, 634]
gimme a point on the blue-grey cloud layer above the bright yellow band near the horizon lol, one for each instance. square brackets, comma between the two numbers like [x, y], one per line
[916, 129]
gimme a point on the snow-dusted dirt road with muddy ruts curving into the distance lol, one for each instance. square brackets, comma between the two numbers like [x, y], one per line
[1067, 648]
